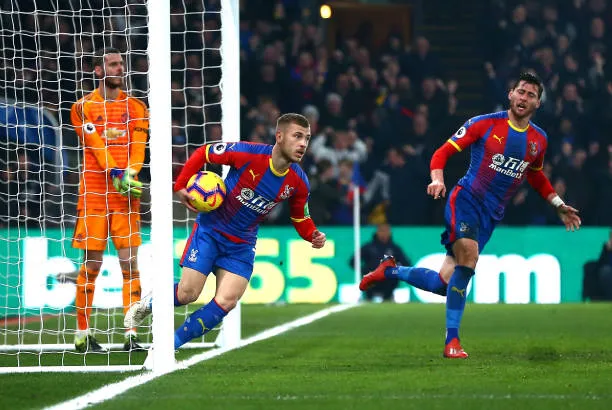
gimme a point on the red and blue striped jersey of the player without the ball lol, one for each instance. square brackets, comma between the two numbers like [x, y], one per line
[501, 154]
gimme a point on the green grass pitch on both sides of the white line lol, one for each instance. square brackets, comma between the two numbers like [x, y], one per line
[380, 357]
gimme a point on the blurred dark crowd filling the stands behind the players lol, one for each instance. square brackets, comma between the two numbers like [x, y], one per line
[380, 96]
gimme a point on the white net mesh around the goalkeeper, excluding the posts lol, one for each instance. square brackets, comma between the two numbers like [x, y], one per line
[47, 65]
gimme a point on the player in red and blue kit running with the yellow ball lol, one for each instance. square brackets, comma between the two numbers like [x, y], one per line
[223, 241]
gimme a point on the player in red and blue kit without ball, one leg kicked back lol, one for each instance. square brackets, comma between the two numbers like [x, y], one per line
[506, 148]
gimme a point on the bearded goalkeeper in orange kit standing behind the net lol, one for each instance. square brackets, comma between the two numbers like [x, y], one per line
[113, 129]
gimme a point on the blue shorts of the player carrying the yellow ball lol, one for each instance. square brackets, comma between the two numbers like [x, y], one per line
[207, 249]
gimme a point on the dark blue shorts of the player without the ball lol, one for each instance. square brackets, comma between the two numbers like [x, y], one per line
[466, 218]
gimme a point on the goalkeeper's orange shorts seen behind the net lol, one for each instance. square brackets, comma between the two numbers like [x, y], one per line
[94, 226]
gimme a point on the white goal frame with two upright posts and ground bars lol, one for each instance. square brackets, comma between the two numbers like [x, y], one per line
[161, 358]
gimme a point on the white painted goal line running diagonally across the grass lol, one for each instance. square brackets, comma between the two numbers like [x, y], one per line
[112, 390]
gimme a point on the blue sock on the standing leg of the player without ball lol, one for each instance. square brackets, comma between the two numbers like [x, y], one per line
[455, 300]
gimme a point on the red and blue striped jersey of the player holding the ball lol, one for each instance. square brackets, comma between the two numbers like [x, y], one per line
[254, 188]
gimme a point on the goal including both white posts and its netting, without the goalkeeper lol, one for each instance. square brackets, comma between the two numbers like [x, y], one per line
[48, 49]
